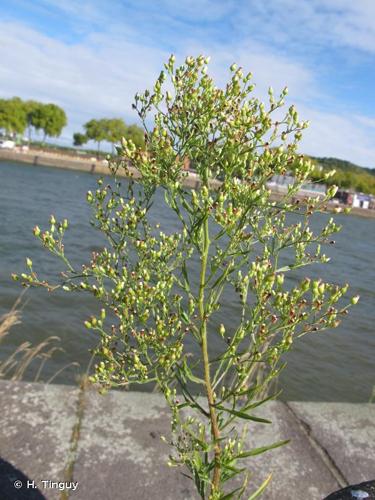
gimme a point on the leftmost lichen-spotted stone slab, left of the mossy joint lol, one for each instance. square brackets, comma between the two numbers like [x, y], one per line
[36, 422]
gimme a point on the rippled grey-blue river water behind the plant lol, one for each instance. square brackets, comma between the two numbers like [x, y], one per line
[337, 365]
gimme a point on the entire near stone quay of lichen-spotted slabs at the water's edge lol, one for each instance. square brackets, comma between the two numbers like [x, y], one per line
[110, 448]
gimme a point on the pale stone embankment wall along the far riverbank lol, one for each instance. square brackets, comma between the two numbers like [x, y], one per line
[99, 166]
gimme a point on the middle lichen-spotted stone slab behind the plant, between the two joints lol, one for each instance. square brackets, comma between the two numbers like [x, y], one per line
[120, 454]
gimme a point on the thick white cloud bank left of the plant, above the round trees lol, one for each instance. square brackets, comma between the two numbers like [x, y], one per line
[85, 80]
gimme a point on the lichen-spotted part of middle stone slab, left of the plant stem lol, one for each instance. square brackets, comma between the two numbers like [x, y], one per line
[120, 454]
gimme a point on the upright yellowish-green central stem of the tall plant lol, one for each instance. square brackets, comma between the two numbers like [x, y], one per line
[207, 377]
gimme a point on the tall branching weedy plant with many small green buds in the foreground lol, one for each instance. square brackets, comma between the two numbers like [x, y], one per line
[243, 241]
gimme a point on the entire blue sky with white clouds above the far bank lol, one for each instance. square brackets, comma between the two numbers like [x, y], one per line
[91, 57]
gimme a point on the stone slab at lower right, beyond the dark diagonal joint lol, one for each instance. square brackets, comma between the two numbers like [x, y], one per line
[347, 432]
